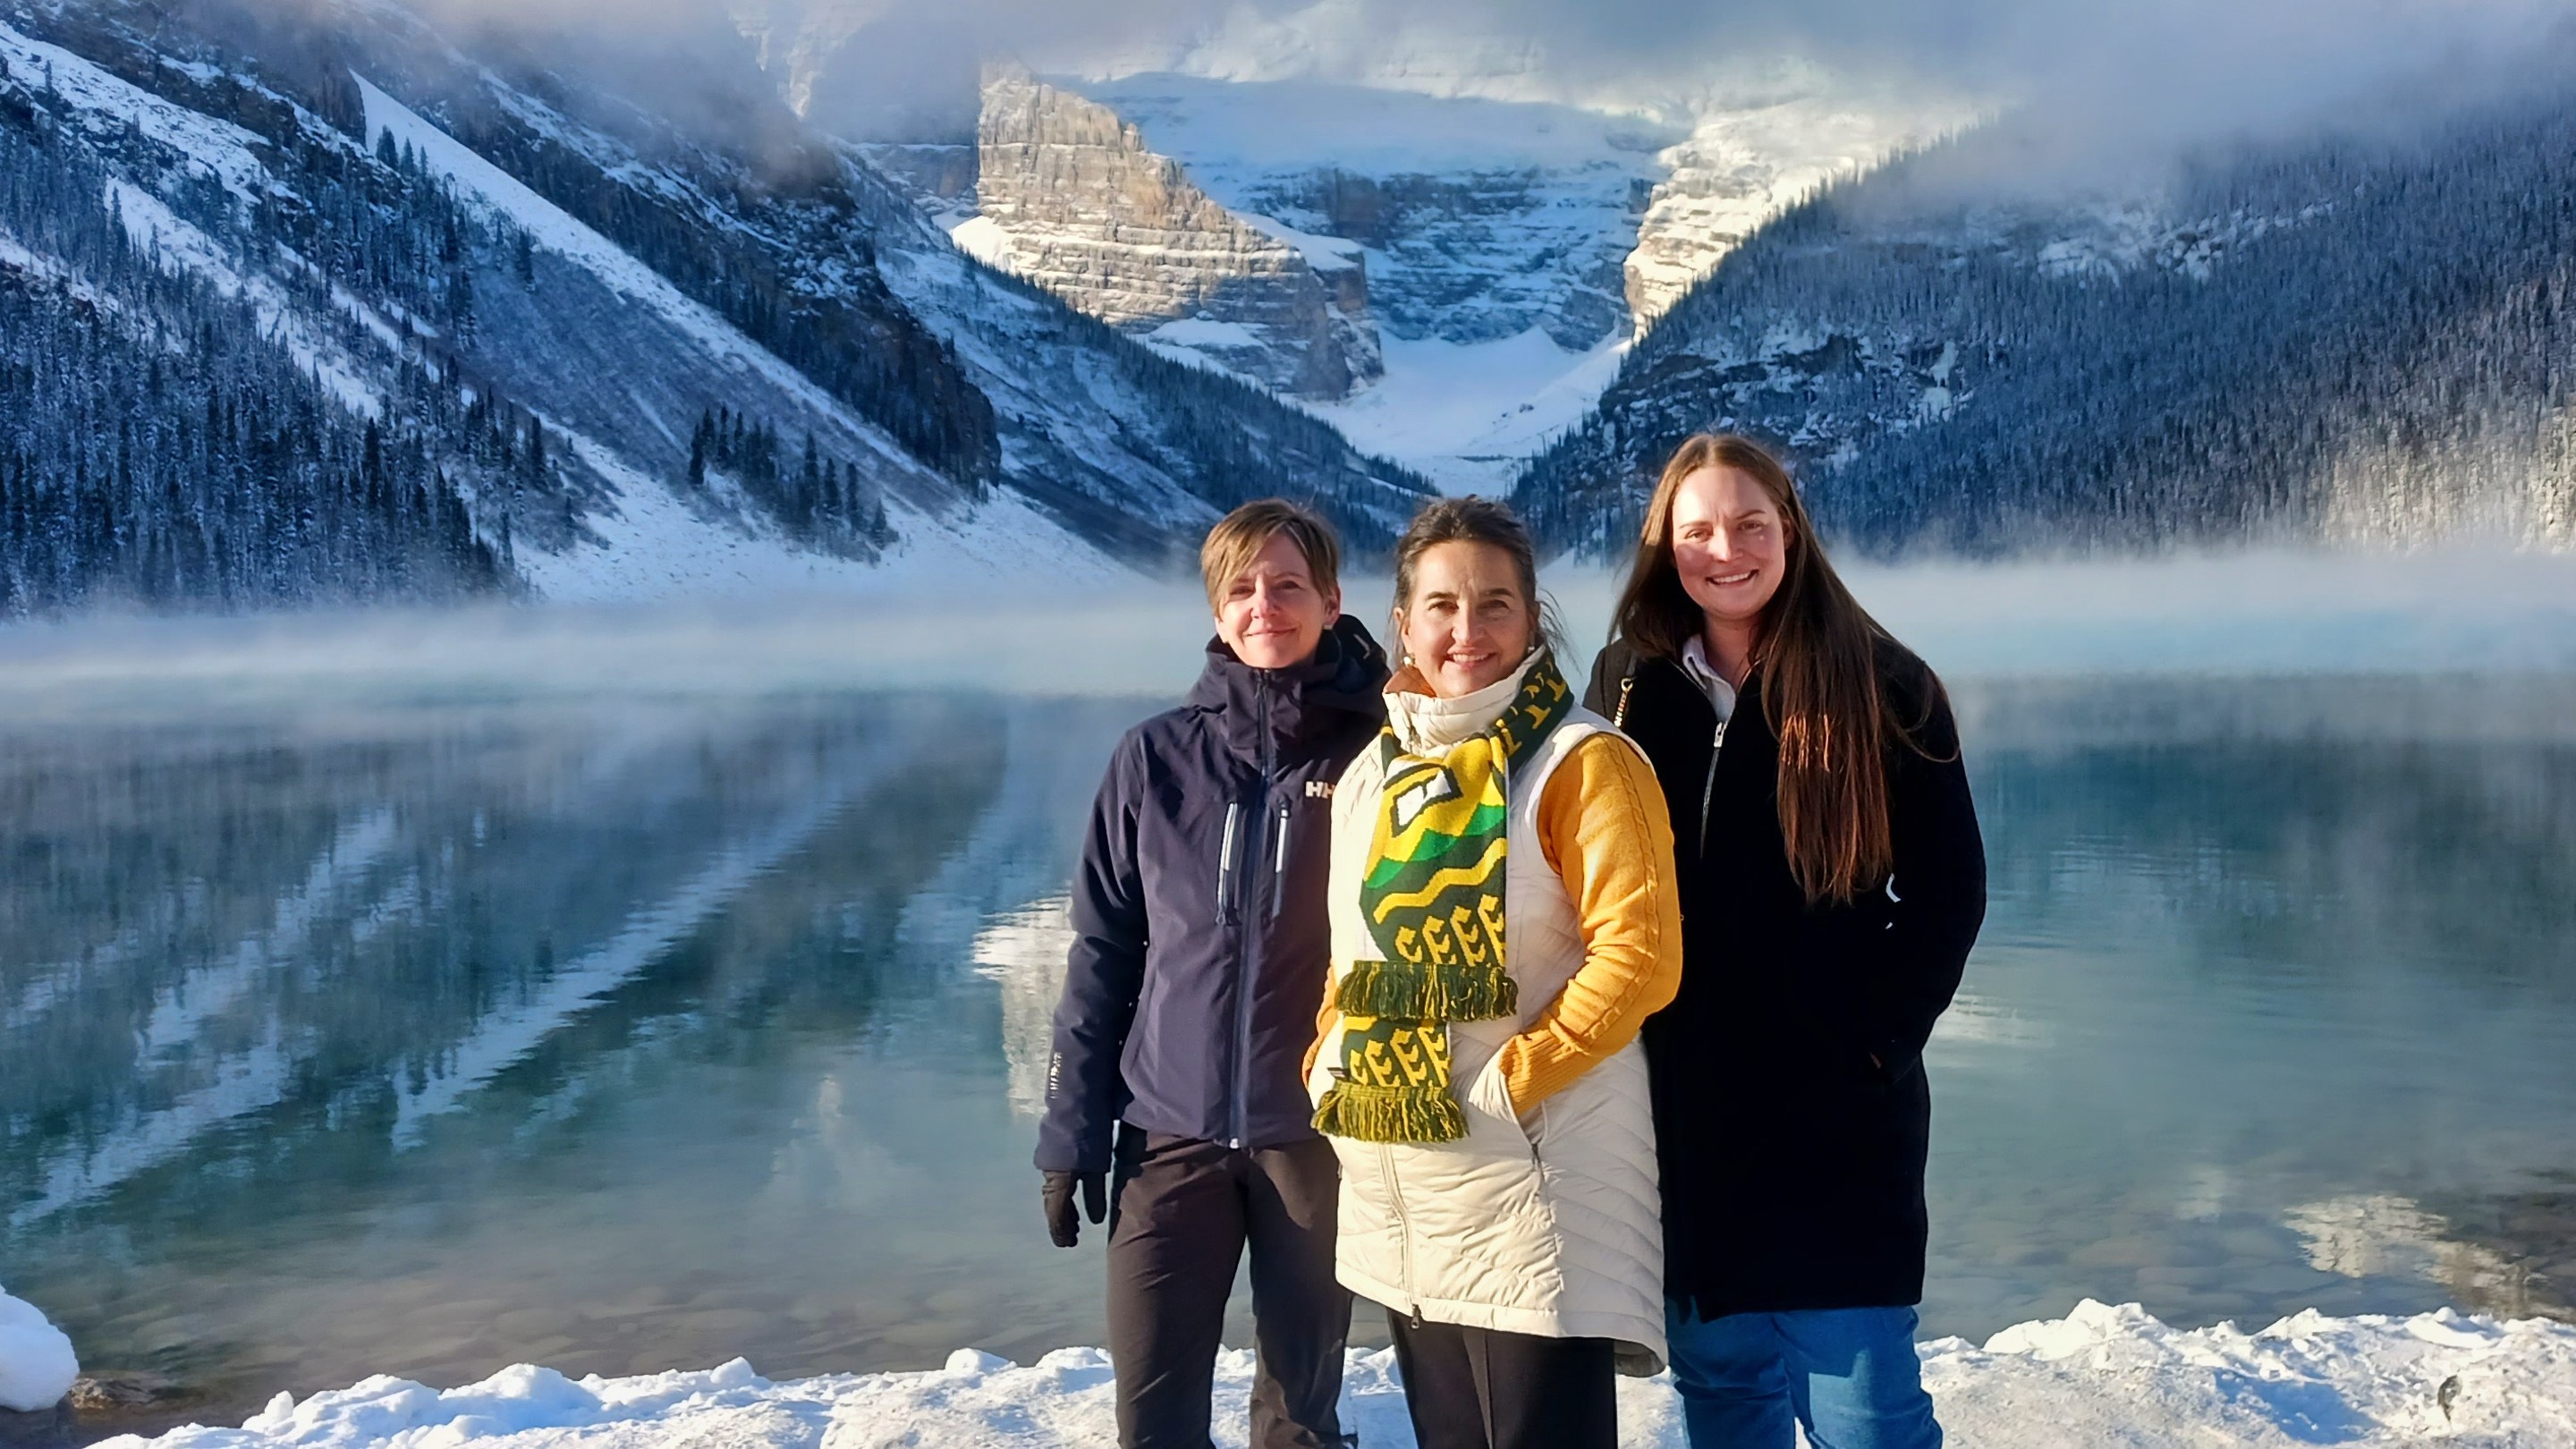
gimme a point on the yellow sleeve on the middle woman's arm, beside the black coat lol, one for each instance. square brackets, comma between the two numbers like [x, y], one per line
[1609, 837]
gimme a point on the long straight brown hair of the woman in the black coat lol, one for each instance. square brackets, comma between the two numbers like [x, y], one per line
[1820, 659]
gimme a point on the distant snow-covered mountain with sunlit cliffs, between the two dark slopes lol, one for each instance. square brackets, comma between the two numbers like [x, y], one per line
[1498, 228]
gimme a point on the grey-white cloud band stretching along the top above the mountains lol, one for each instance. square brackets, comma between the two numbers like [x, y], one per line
[2098, 76]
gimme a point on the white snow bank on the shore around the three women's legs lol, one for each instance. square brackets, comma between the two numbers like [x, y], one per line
[2098, 1378]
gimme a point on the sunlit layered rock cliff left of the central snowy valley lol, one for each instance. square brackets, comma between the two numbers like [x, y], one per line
[1075, 202]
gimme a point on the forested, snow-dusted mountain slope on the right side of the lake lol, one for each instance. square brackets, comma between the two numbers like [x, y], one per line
[2351, 339]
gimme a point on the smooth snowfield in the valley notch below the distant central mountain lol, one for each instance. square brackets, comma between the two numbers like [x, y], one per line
[1467, 414]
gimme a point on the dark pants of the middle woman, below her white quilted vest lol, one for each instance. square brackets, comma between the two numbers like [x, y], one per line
[1480, 1388]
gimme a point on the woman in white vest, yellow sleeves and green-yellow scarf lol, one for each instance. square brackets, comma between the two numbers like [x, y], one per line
[1503, 922]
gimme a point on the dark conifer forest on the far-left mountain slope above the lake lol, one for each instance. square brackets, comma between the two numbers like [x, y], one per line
[164, 445]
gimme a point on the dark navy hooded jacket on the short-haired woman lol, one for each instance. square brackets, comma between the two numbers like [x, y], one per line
[1199, 911]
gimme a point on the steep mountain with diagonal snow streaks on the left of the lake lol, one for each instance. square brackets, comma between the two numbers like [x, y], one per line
[506, 321]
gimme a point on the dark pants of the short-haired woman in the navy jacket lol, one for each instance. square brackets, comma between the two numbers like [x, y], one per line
[1179, 1226]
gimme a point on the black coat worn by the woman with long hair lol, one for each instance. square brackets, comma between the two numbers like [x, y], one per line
[1789, 1094]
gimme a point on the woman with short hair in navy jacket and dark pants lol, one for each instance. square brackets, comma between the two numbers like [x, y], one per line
[1173, 1097]
